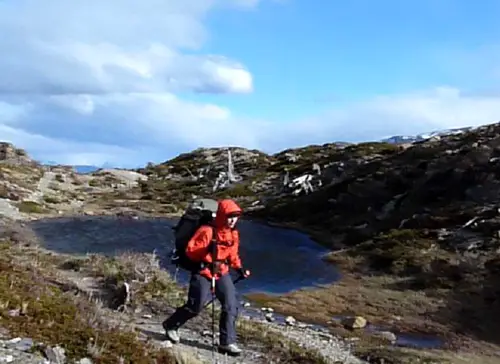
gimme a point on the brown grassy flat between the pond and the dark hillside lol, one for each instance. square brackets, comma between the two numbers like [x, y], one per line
[412, 319]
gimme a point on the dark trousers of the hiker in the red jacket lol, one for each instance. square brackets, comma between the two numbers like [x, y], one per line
[199, 294]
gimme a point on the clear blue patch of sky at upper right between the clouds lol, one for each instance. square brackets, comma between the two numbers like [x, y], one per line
[305, 57]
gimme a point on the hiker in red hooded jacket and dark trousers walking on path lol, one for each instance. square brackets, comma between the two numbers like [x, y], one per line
[222, 242]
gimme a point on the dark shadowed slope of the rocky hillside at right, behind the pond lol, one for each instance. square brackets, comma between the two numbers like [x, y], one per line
[447, 183]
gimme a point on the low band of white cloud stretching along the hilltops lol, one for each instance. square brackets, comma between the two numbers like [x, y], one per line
[132, 129]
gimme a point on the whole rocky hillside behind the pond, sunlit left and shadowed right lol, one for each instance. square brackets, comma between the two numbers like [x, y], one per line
[358, 191]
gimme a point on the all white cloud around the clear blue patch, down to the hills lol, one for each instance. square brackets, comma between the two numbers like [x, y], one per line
[89, 82]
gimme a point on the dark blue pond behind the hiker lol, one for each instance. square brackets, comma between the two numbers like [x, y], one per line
[281, 260]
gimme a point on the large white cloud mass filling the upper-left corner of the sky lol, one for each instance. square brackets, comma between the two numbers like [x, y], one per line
[58, 47]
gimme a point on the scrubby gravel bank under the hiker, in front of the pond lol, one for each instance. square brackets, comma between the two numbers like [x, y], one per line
[154, 297]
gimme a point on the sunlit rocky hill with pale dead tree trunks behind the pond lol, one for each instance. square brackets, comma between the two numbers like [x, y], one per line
[259, 177]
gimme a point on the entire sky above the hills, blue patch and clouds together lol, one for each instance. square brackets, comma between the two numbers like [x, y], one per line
[124, 83]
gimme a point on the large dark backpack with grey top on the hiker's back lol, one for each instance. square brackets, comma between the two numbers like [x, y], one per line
[199, 212]
